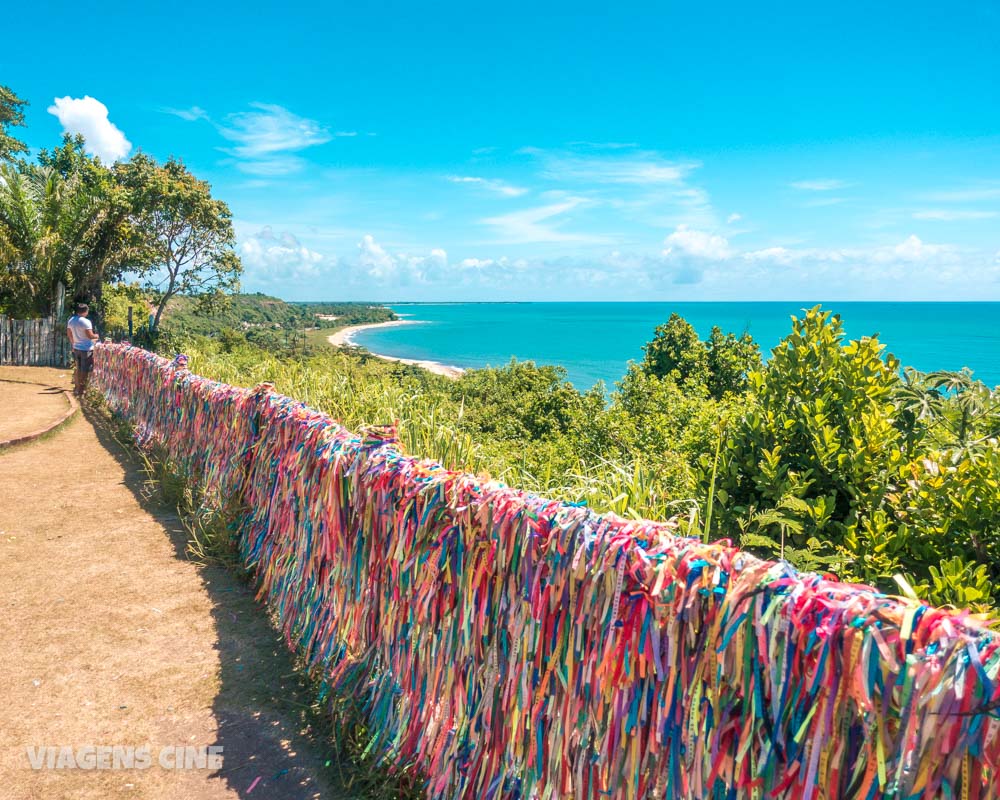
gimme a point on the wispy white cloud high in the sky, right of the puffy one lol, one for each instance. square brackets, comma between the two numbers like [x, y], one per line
[266, 137]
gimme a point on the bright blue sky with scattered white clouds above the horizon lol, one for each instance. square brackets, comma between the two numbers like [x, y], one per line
[579, 151]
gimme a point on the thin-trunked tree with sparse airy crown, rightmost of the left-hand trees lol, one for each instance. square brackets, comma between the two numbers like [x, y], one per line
[188, 233]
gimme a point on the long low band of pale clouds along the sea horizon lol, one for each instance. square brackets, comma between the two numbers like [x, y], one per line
[697, 265]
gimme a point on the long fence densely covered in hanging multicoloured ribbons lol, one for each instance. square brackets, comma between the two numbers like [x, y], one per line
[509, 646]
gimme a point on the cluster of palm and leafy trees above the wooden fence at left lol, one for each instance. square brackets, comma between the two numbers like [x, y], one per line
[67, 219]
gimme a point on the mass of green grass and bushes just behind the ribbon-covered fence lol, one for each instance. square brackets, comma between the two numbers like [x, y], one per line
[826, 455]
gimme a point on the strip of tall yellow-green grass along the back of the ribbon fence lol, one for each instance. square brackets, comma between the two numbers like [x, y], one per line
[359, 391]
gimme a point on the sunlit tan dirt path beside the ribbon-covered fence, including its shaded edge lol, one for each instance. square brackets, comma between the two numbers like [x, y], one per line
[109, 636]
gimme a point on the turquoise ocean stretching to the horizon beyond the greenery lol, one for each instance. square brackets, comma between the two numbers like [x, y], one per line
[595, 341]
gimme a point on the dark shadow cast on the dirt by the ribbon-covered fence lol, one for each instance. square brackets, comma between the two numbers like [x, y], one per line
[276, 741]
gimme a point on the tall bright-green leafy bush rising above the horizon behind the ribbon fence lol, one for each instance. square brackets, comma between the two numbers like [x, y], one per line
[822, 429]
